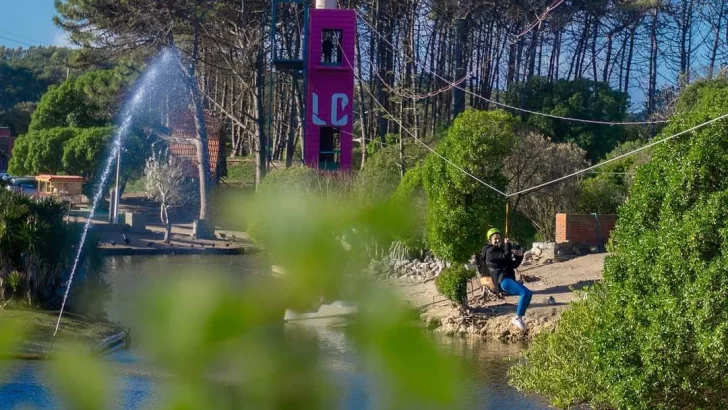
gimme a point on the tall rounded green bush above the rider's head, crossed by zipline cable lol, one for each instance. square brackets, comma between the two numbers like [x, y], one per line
[461, 209]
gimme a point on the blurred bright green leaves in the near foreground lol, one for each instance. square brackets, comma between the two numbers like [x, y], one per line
[225, 345]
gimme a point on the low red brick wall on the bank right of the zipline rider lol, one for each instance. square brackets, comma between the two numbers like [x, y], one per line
[581, 229]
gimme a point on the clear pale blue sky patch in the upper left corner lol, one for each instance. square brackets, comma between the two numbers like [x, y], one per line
[29, 22]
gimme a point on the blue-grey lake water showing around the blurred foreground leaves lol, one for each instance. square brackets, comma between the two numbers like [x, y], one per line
[25, 384]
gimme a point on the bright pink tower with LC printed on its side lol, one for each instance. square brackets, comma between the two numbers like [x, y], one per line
[330, 87]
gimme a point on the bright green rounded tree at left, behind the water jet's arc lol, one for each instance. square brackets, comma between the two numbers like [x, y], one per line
[71, 128]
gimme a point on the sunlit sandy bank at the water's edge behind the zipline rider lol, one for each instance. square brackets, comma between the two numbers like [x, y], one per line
[491, 319]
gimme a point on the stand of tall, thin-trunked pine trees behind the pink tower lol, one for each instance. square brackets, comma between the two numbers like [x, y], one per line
[582, 61]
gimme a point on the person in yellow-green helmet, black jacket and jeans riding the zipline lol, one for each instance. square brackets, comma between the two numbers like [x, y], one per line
[502, 262]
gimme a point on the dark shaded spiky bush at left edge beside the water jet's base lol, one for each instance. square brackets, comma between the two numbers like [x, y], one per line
[37, 252]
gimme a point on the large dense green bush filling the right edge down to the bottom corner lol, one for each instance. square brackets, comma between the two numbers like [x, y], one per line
[655, 334]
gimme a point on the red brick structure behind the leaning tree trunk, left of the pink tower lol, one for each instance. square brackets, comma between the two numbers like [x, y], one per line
[182, 144]
